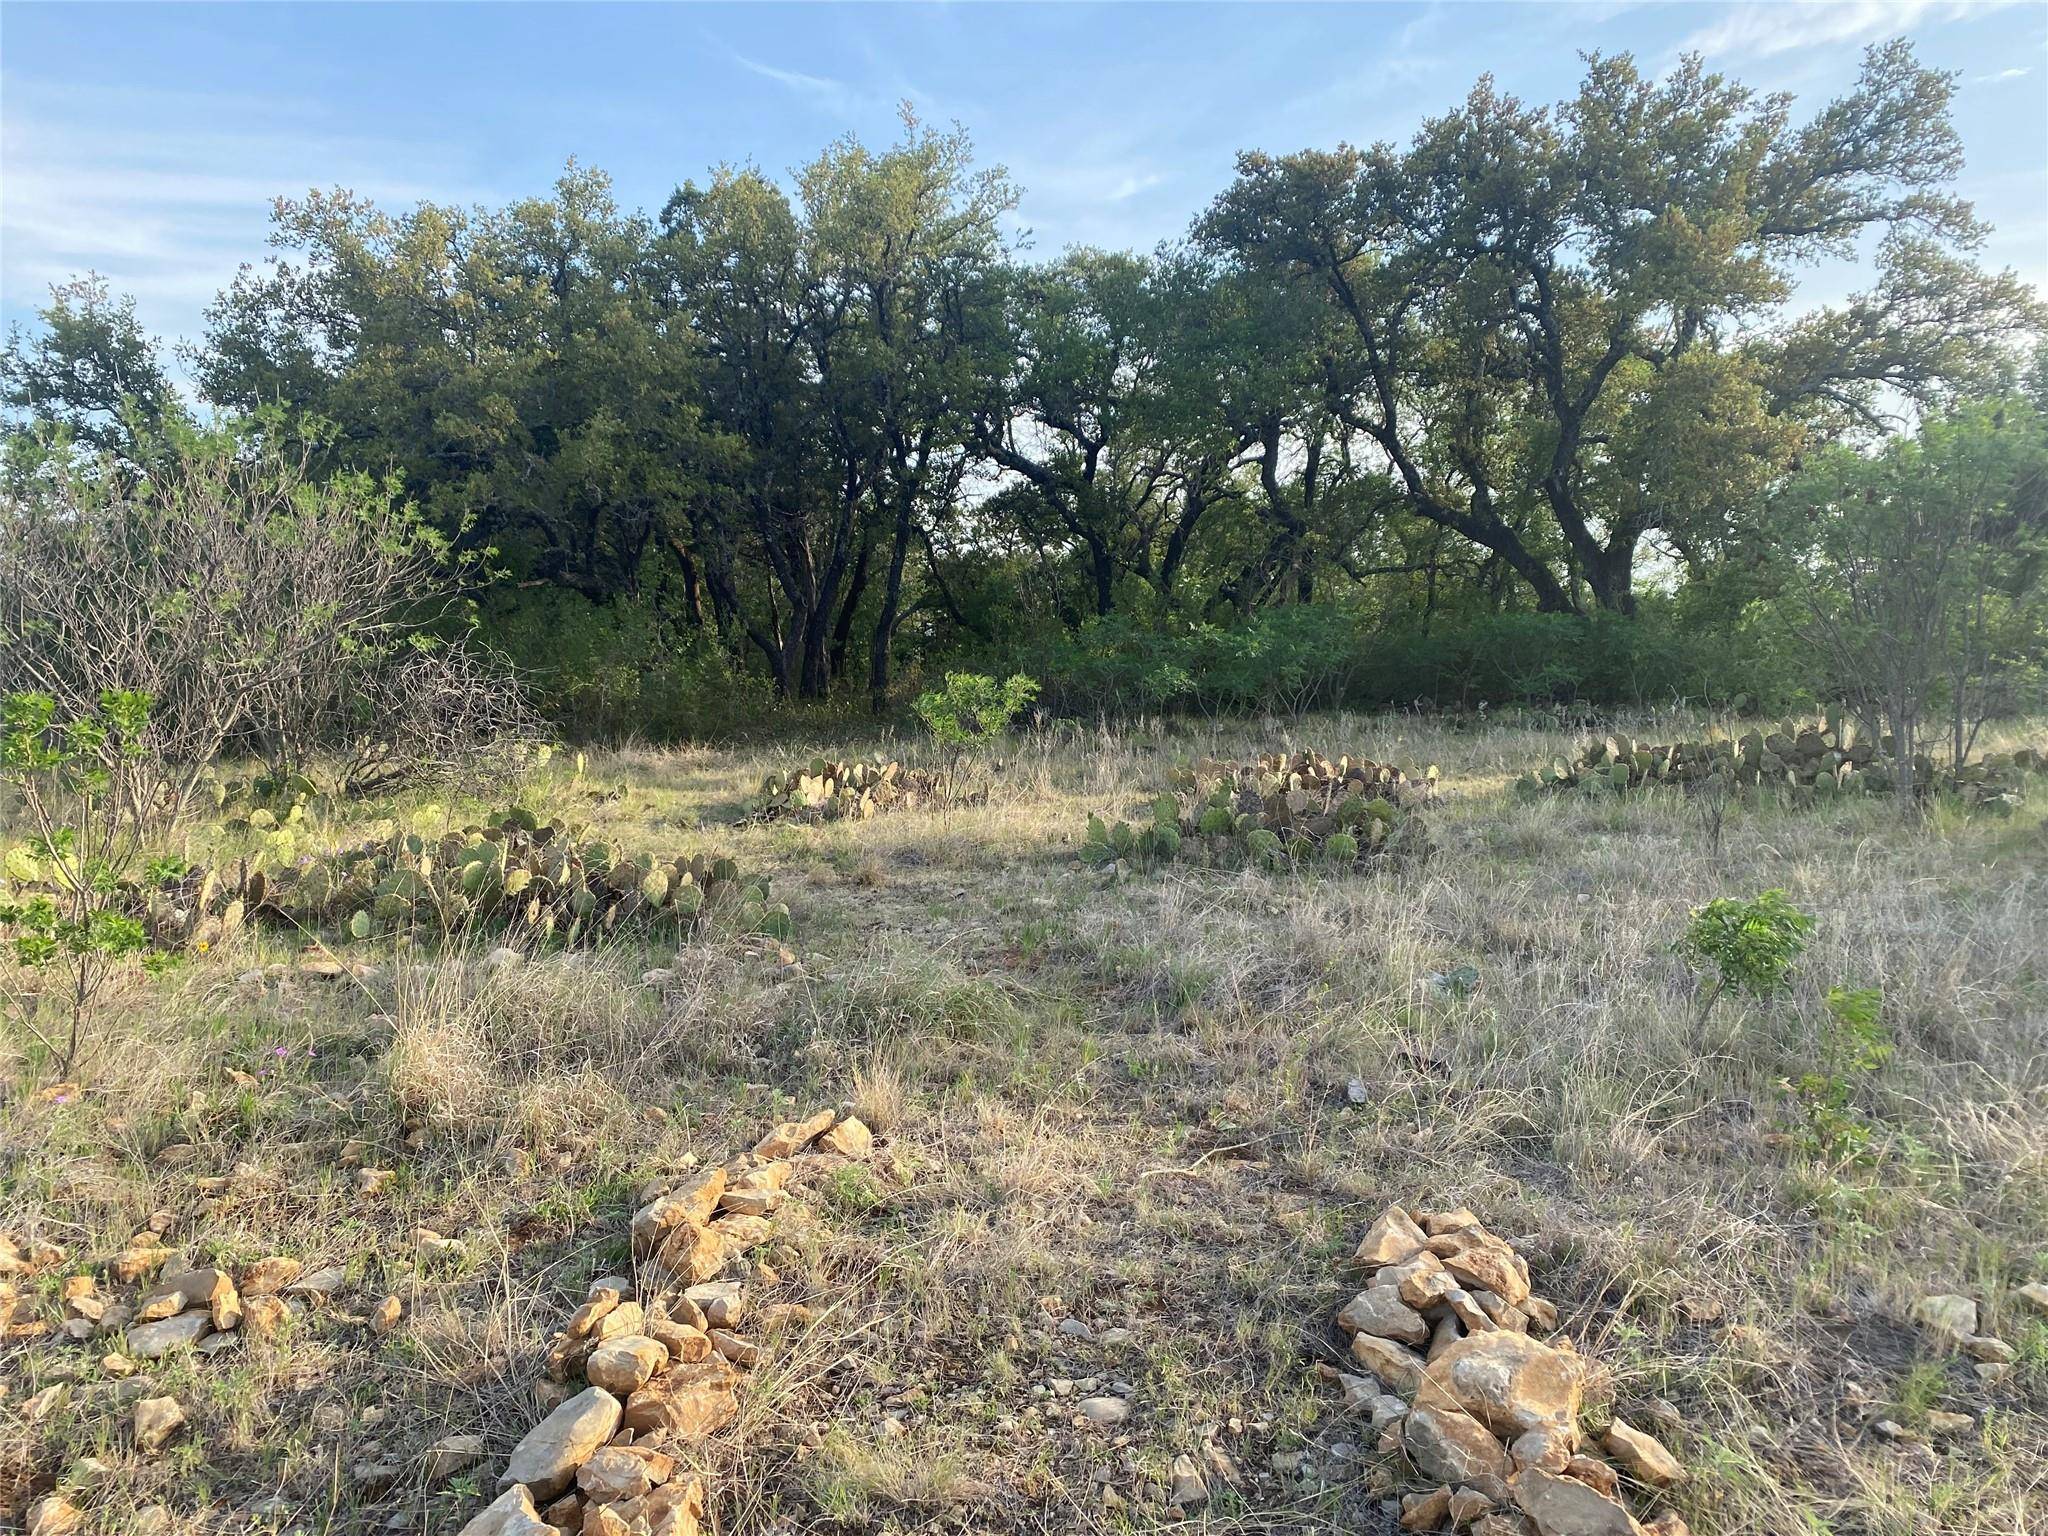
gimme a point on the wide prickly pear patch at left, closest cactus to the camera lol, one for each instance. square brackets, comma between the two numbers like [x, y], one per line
[515, 873]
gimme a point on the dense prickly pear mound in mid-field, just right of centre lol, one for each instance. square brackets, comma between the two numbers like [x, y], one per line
[1279, 812]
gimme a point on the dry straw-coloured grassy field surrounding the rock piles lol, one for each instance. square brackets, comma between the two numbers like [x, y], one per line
[1129, 1134]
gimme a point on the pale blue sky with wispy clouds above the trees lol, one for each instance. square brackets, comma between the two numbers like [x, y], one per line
[146, 142]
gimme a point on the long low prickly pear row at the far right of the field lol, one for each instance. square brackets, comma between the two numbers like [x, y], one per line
[1816, 761]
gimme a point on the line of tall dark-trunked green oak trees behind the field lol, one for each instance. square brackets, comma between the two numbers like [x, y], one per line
[798, 439]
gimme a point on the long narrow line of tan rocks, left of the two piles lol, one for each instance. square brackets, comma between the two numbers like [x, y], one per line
[663, 1361]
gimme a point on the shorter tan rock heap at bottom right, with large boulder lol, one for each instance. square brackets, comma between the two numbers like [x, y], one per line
[1455, 1379]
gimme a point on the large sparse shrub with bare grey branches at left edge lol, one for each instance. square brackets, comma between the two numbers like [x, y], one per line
[261, 609]
